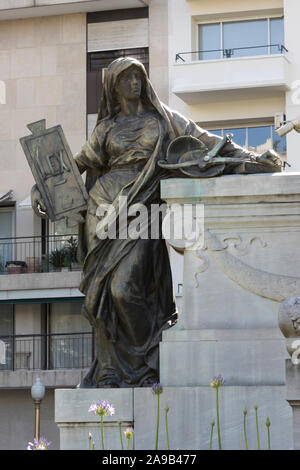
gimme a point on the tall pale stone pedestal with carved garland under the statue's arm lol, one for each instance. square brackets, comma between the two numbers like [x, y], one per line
[246, 263]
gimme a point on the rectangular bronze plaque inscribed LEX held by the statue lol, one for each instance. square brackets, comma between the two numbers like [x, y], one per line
[55, 171]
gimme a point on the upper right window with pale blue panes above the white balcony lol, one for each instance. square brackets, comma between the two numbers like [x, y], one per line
[240, 38]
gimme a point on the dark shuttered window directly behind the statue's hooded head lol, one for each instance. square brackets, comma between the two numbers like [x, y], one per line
[97, 63]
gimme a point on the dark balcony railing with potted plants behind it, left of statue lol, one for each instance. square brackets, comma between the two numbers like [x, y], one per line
[38, 254]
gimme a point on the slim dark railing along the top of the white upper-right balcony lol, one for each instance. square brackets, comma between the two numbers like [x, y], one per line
[231, 52]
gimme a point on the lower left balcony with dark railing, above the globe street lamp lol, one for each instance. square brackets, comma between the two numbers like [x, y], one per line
[59, 359]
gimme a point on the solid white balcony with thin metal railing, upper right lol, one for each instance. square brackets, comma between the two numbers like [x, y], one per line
[232, 76]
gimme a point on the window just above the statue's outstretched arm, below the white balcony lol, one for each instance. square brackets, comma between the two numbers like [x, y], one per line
[256, 138]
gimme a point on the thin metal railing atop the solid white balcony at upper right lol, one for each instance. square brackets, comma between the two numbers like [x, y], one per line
[228, 53]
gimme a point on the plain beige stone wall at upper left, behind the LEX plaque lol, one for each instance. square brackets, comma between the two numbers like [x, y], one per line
[43, 65]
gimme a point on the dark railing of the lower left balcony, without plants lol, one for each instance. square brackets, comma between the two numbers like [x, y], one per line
[46, 351]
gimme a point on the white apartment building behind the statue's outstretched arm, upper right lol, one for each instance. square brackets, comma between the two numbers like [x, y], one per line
[234, 66]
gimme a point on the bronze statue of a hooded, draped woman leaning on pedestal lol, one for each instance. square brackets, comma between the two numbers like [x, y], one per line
[127, 282]
